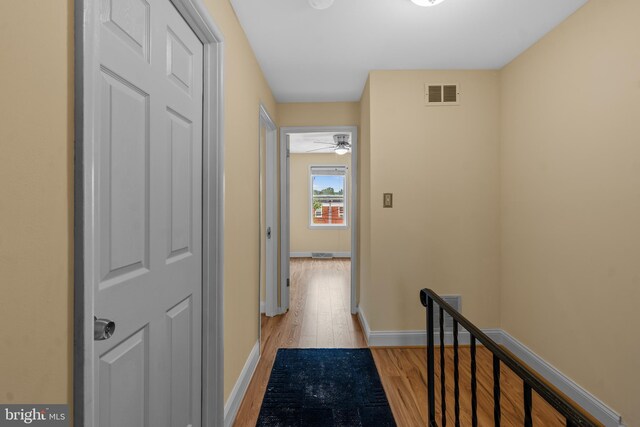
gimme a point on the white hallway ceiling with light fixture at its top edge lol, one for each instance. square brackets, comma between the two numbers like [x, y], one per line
[310, 55]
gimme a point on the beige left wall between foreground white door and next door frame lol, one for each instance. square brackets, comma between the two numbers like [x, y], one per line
[245, 87]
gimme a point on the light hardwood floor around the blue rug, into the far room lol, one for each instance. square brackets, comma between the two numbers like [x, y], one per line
[319, 317]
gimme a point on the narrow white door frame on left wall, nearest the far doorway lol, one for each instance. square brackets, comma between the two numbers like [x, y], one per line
[271, 220]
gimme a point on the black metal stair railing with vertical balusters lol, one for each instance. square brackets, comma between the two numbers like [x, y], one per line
[530, 381]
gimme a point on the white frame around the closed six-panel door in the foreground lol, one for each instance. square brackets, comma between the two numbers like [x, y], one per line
[86, 24]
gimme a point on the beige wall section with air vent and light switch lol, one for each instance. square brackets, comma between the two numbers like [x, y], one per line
[441, 164]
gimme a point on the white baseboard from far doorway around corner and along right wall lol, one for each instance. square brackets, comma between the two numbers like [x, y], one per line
[582, 397]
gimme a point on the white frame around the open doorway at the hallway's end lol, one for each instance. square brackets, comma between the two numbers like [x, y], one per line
[284, 206]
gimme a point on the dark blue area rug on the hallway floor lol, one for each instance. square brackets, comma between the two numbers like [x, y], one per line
[325, 387]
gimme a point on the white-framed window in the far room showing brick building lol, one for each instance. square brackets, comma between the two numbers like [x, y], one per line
[328, 196]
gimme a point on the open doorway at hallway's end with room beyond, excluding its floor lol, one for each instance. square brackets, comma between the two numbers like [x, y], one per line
[323, 209]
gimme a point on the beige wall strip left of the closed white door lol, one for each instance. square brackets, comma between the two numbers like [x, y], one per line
[36, 223]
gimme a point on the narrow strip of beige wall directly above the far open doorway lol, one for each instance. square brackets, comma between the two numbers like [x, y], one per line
[319, 114]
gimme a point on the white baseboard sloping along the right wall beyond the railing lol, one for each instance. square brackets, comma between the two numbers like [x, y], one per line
[582, 397]
